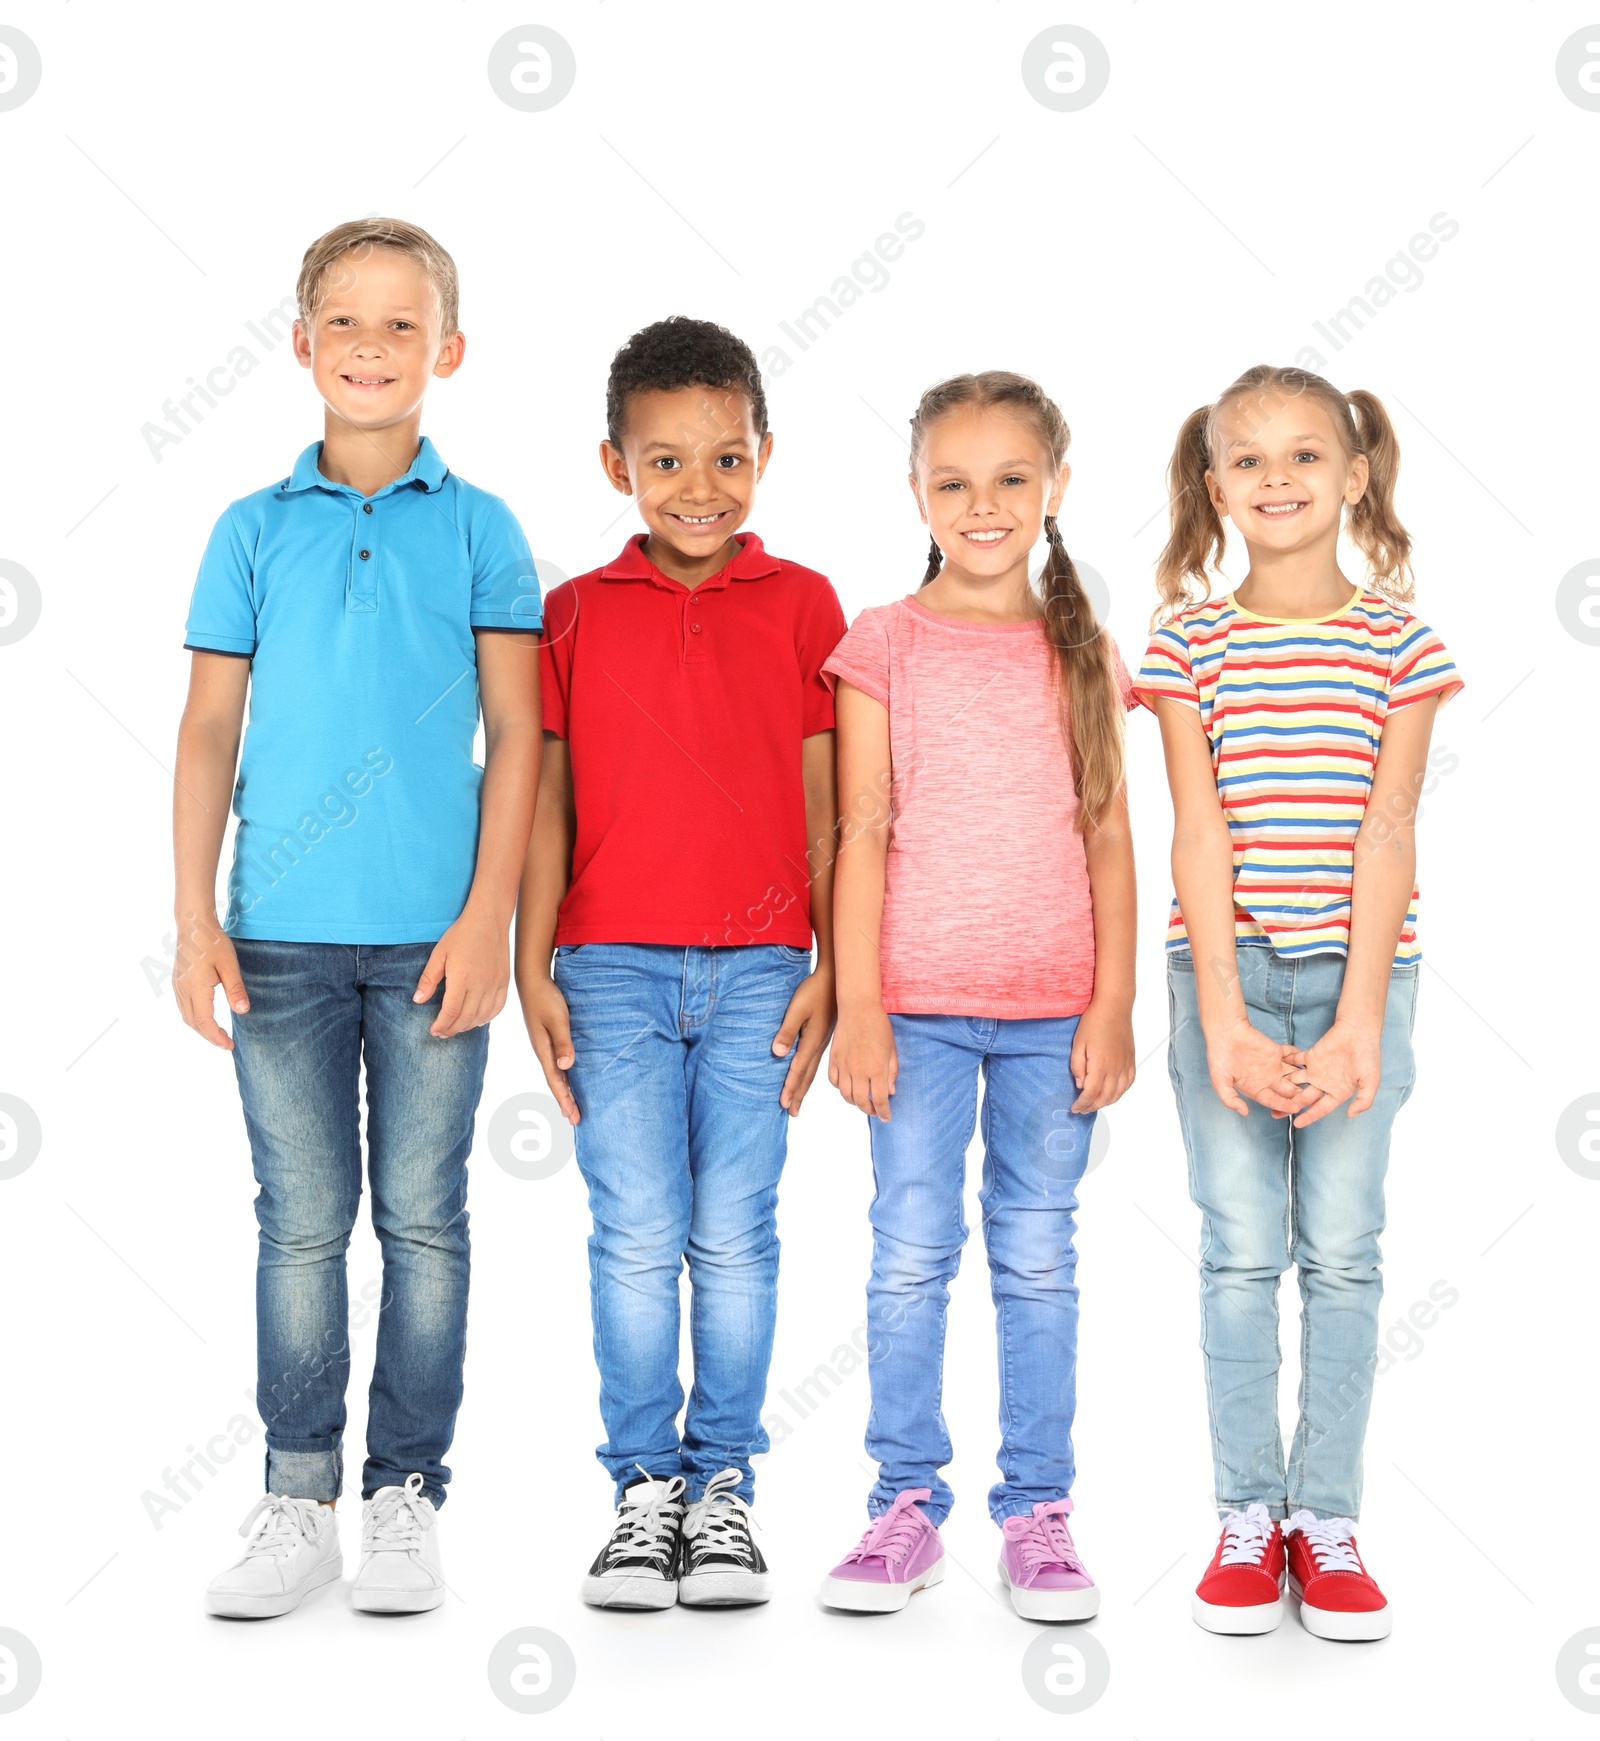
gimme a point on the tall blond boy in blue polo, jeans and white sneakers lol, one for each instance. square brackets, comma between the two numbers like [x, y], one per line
[372, 607]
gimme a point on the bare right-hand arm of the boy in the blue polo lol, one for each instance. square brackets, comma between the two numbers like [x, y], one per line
[474, 955]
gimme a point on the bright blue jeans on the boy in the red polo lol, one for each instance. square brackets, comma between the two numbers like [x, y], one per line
[682, 1143]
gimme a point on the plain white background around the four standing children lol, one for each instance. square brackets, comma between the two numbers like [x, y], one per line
[1246, 175]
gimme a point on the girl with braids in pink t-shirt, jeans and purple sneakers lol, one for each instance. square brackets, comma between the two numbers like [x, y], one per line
[985, 929]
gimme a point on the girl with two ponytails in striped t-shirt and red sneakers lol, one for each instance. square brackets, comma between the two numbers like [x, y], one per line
[1296, 715]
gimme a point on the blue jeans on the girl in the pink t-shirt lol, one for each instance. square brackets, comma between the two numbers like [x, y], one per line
[1035, 1153]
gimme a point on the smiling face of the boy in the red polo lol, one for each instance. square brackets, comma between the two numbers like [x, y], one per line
[692, 459]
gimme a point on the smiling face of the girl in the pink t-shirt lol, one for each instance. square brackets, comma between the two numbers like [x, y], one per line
[985, 485]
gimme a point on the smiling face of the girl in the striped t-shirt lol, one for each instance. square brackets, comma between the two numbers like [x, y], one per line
[1281, 473]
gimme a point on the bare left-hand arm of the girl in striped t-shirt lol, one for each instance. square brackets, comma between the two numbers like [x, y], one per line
[1242, 1059]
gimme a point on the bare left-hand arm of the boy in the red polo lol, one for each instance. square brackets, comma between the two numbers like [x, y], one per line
[546, 877]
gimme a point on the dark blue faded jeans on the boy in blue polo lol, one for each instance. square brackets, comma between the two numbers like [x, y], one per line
[318, 1014]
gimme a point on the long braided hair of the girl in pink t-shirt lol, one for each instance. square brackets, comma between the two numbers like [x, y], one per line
[1080, 650]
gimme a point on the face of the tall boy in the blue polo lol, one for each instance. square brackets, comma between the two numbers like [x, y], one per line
[375, 342]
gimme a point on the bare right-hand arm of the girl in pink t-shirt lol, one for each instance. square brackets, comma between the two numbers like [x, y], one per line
[1103, 1051]
